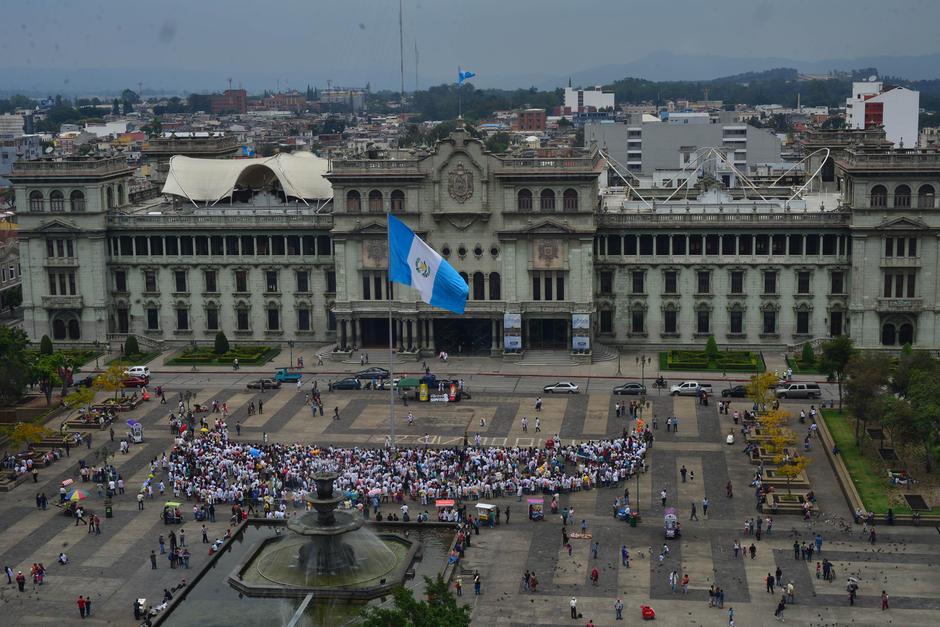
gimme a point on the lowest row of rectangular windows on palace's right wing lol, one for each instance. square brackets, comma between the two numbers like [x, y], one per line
[703, 321]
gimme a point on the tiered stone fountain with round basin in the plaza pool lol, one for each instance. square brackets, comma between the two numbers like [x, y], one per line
[329, 554]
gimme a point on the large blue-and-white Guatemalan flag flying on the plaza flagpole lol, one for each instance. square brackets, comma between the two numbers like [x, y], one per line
[412, 262]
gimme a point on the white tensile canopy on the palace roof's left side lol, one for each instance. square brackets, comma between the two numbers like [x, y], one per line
[211, 180]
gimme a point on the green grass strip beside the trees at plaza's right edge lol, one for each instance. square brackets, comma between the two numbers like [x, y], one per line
[869, 473]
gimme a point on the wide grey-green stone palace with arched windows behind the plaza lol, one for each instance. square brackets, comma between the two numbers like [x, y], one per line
[293, 248]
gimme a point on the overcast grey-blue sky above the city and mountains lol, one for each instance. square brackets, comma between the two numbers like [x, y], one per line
[311, 40]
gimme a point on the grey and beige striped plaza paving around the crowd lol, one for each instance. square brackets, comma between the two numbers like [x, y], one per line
[114, 568]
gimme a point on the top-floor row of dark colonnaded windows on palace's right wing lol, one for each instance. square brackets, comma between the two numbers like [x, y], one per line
[715, 245]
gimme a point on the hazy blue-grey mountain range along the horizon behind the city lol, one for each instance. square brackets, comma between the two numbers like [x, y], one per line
[655, 66]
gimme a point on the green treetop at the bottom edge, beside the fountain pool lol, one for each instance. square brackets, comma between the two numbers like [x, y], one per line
[441, 608]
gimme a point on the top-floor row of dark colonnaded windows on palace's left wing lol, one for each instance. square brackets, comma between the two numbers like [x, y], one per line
[220, 245]
